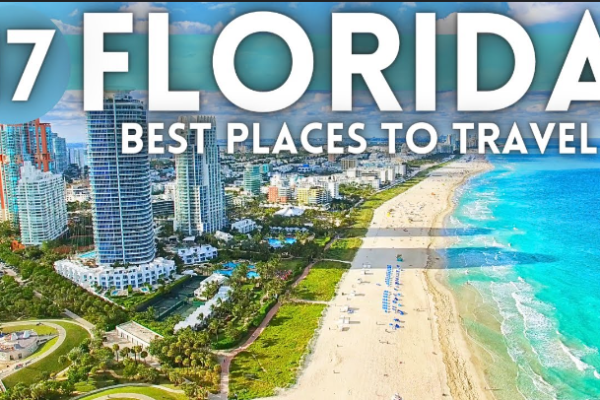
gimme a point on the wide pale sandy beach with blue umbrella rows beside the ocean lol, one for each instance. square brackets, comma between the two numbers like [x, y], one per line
[428, 357]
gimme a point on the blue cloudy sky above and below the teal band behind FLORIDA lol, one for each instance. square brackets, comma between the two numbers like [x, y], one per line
[208, 19]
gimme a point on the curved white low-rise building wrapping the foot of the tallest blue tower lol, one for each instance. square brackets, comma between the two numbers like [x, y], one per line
[121, 277]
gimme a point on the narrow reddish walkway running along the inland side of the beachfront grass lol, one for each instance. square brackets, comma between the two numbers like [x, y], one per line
[227, 356]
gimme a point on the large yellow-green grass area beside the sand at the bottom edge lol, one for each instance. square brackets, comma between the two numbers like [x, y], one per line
[273, 360]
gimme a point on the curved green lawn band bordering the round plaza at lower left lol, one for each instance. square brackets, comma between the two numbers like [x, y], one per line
[34, 372]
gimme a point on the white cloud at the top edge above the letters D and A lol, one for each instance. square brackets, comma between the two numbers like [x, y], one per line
[543, 12]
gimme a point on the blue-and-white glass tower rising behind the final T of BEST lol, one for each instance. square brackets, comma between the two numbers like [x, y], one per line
[199, 192]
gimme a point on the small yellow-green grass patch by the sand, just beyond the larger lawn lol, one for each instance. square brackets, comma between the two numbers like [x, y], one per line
[321, 281]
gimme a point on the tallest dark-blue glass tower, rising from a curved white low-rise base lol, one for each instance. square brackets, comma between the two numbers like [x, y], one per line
[120, 183]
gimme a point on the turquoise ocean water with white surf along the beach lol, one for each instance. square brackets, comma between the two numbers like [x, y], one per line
[528, 250]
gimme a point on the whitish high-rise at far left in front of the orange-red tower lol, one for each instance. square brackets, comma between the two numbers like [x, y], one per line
[41, 204]
